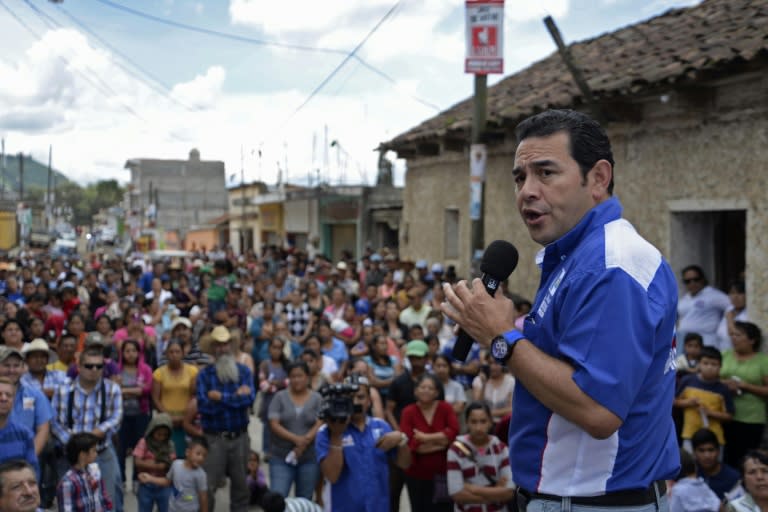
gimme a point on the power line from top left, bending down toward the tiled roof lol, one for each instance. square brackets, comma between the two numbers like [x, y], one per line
[262, 42]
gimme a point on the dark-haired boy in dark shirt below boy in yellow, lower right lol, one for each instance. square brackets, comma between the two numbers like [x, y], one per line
[721, 478]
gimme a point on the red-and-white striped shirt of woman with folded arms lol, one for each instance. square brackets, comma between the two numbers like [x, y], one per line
[490, 464]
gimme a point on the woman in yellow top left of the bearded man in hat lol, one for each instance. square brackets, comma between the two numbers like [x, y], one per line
[173, 386]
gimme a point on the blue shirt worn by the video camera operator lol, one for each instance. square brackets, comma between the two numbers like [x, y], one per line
[363, 485]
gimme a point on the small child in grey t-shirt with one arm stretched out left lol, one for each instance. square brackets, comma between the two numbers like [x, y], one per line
[187, 478]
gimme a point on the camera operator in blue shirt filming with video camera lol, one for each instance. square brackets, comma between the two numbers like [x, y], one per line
[353, 452]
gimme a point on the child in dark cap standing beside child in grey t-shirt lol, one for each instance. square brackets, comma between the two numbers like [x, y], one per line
[154, 454]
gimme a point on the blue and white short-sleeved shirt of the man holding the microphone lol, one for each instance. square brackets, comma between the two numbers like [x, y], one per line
[607, 305]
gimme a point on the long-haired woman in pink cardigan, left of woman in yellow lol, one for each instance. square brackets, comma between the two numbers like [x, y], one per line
[136, 387]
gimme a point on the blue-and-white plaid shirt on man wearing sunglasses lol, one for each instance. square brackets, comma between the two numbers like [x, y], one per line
[86, 410]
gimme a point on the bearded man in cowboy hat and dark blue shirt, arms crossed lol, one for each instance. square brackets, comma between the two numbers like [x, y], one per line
[225, 395]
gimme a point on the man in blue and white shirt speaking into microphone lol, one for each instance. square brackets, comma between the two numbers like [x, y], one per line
[592, 425]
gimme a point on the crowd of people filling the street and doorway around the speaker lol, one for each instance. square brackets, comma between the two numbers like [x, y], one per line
[162, 361]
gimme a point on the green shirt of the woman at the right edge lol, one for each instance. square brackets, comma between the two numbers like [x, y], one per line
[749, 408]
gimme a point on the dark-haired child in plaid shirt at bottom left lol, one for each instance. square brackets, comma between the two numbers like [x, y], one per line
[81, 489]
